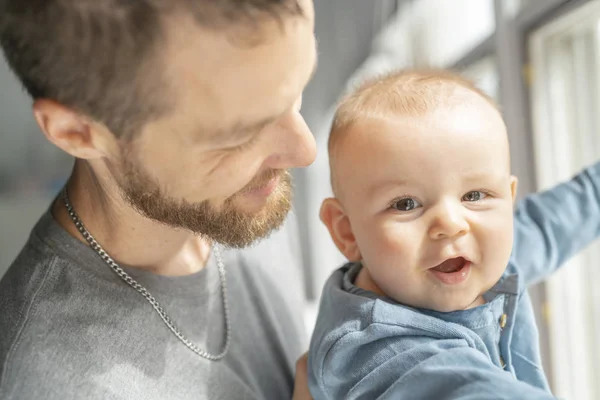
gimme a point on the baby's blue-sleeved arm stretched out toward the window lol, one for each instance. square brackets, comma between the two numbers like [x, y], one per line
[552, 226]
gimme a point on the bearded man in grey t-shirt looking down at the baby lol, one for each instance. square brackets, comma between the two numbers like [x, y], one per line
[183, 117]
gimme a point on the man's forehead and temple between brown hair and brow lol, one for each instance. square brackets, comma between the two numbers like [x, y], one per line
[226, 88]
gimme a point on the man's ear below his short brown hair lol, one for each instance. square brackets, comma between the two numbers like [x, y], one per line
[70, 131]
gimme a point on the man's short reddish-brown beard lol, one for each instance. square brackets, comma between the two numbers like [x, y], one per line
[228, 225]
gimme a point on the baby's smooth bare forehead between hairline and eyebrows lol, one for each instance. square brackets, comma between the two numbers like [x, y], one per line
[405, 141]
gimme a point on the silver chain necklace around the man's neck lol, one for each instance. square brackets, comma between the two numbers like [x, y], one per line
[142, 290]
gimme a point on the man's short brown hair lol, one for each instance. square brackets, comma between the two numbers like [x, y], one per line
[99, 56]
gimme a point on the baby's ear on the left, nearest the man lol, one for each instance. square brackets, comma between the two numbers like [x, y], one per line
[337, 222]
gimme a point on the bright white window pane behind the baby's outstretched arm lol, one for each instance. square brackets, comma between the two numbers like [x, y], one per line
[565, 99]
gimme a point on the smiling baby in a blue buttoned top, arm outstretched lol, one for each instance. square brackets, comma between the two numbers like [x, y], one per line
[433, 303]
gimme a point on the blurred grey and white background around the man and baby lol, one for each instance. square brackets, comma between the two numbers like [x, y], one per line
[540, 59]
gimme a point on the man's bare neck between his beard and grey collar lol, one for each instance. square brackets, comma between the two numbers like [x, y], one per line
[129, 238]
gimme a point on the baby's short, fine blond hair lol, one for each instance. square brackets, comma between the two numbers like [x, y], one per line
[399, 93]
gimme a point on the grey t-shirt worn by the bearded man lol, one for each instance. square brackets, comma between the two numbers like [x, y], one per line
[70, 328]
